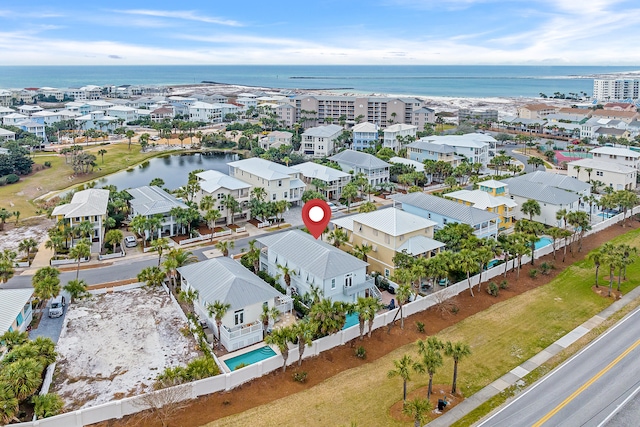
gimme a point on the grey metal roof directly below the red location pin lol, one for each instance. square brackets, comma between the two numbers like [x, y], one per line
[315, 256]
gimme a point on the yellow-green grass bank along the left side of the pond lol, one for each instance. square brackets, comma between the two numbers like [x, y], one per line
[57, 178]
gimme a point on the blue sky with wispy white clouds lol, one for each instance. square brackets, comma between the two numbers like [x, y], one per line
[418, 32]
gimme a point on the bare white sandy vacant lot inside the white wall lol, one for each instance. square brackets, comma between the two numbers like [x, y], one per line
[114, 345]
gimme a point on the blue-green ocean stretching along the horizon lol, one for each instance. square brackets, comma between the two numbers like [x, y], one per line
[455, 81]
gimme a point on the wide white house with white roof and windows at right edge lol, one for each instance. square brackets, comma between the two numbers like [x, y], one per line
[614, 175]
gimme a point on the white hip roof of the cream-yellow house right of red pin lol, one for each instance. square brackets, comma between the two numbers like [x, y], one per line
[392, 221]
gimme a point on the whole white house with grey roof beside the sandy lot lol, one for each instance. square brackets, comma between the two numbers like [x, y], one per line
[227, 281]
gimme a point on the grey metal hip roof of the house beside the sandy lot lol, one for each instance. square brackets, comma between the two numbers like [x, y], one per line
[226, 280]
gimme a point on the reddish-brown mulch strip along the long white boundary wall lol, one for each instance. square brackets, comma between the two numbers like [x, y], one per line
[277, 385]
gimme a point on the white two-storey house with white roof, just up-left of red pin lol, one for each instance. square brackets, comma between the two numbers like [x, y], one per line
[279, 181]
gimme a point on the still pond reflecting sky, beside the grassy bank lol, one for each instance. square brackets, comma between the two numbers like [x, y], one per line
[172, 168]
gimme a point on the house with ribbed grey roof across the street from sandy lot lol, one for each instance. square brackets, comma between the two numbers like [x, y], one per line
[150, 201]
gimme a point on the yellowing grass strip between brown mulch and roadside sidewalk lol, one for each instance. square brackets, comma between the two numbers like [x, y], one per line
[501, 338]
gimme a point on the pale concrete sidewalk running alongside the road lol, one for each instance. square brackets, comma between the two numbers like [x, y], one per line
[517, 373]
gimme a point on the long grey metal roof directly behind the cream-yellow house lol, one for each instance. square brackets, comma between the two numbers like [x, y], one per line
[447, 208]
